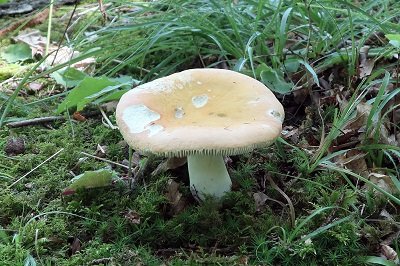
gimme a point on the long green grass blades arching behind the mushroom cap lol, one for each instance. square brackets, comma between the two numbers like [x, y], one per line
[162, 37]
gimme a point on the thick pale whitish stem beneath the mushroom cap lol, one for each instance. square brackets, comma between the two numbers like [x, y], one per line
[208, 176]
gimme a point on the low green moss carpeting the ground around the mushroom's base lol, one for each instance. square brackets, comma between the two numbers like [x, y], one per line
[40, 221]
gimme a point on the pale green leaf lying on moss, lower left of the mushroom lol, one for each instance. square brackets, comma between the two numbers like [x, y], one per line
[91, 179]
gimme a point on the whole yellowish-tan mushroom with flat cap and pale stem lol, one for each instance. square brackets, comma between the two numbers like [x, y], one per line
[203, 114]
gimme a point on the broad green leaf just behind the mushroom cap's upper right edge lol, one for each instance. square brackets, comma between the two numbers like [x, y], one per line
[274, 80]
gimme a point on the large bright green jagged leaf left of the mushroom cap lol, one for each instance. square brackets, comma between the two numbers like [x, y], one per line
[78, 96]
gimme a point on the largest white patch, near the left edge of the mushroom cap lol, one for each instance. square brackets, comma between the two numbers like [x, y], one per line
[139, 117]
